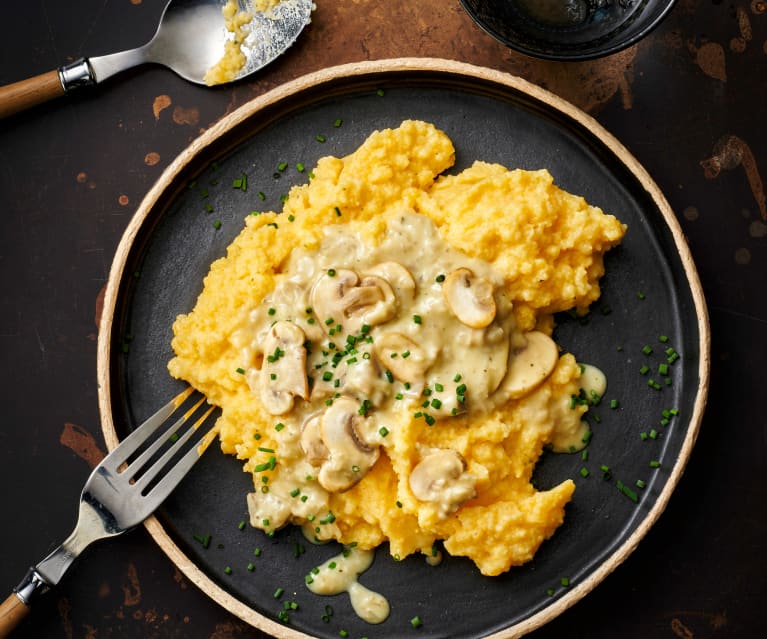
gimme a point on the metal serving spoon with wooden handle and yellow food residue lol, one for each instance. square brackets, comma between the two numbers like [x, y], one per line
[189, 40]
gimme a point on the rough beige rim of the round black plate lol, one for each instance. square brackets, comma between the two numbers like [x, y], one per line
[404, 65]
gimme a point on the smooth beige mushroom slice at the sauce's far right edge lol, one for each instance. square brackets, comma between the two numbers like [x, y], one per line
[530, 365]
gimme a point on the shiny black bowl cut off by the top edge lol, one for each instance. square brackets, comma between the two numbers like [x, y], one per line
[567, 30]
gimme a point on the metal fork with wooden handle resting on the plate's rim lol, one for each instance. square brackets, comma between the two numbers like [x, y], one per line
[120, 493]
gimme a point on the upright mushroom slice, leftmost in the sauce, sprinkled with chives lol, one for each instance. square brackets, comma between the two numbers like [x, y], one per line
[283, 373]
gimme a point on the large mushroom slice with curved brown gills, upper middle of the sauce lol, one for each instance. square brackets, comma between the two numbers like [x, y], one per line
[350, 302]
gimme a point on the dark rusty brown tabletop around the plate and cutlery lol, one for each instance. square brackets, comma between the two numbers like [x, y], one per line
[690, 102]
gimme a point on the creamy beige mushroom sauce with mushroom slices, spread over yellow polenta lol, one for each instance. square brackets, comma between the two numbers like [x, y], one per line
[335, 362]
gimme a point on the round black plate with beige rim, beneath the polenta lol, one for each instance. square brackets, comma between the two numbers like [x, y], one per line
[651, 289]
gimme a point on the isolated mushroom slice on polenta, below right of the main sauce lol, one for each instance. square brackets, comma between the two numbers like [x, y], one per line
[441, 478]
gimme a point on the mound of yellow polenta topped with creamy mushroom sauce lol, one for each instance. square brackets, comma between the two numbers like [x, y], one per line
[381, 349]
